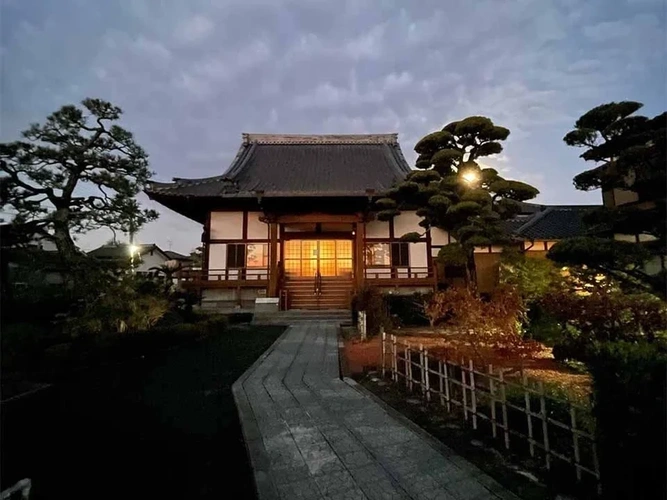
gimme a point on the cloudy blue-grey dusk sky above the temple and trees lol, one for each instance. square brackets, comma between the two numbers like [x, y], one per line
[191, 76]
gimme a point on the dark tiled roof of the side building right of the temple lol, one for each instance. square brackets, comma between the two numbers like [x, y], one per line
[552, 223]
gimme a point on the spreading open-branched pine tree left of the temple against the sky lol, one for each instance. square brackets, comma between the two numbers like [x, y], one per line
[45, 178]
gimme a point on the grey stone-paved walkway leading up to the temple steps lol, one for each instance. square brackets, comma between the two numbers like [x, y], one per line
[312, 435]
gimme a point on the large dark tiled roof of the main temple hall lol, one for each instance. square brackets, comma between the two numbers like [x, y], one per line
[299, 165]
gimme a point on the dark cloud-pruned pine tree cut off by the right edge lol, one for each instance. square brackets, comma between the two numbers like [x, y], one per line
[630, 151]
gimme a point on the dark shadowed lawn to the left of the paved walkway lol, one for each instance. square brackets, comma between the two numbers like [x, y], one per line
[160, 427]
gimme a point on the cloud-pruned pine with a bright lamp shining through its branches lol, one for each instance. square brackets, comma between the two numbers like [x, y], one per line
[451, 191]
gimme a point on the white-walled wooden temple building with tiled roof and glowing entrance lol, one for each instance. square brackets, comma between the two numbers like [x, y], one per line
[293, 217]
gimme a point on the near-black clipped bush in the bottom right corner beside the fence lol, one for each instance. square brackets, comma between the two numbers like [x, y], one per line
[630, 404]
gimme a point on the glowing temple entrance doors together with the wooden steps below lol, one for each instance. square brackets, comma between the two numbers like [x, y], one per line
[318, 273]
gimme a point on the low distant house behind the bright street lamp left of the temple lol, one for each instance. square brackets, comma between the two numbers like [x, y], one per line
[147, 257]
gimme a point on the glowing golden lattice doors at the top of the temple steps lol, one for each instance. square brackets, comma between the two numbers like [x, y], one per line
[303, 258]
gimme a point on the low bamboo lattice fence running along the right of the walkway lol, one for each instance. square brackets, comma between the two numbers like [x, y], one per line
[483, 396]
